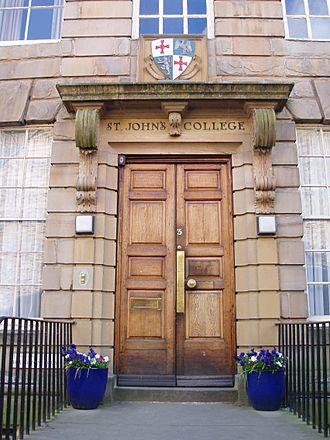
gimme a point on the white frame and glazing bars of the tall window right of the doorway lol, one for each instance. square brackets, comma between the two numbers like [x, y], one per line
[316, 218]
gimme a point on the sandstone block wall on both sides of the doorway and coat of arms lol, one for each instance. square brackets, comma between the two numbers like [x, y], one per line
[96, 45]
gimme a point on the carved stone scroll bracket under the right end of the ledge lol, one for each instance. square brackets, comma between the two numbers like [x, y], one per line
[264, 139]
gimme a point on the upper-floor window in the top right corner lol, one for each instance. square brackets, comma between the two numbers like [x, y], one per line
[307, 19]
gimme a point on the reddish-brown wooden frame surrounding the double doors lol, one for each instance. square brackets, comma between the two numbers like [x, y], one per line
[124, 159]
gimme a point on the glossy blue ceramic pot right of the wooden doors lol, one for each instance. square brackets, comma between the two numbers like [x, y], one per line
[266, 390]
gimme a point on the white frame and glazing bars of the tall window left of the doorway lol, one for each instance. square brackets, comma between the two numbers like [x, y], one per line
[20, 220]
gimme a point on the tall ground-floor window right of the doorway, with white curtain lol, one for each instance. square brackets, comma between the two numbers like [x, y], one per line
[314, 167]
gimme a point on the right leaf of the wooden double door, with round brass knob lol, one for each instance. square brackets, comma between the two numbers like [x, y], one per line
[204, 331]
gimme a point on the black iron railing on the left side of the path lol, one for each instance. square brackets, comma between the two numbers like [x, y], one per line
[32, 381]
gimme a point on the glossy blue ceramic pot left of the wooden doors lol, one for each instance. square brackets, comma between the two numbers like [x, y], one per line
[86, 386]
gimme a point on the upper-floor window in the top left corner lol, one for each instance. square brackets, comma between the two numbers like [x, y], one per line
[30, 19]
